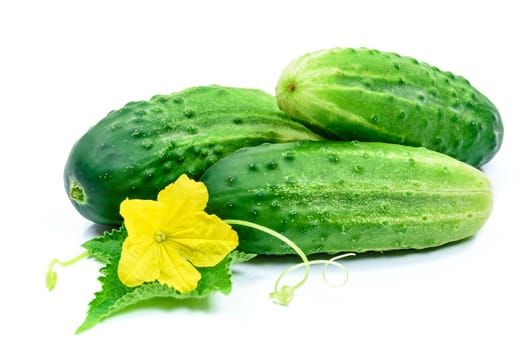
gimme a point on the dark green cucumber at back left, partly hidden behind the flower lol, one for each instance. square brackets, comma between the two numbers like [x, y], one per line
[136, 151]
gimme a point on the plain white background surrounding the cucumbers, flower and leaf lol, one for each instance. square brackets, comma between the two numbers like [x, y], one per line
[65, 64]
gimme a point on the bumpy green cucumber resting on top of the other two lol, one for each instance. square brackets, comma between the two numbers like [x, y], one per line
[368, 95]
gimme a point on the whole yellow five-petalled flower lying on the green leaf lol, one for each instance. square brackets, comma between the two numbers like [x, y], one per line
[168, 237]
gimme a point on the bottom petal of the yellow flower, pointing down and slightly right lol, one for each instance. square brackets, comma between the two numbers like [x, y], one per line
[177, 272]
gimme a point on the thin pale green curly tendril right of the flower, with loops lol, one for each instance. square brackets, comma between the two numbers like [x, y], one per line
[284, 295]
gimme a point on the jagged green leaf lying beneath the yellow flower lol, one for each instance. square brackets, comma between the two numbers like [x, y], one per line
[115, 296]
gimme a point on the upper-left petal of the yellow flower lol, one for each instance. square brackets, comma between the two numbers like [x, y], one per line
[142, 216]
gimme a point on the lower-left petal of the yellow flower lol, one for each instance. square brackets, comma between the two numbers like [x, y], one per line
[139, 261]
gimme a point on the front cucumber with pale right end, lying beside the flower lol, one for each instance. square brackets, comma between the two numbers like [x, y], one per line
[330, 196]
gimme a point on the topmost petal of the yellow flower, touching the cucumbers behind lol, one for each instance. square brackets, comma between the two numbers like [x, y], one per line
[184, 196]
